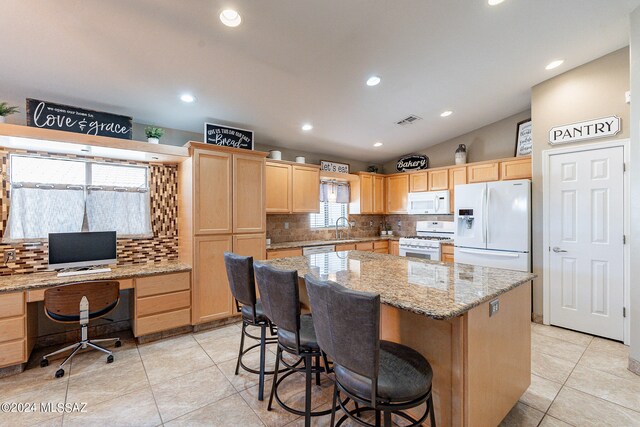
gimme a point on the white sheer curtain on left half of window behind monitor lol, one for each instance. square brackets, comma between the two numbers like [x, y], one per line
[36, 212]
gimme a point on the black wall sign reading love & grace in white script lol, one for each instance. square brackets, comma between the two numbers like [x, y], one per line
[47, 115]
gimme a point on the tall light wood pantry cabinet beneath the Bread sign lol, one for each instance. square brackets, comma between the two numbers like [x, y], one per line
[221, 208]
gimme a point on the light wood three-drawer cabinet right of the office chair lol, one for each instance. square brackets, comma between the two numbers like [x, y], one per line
[162, 303]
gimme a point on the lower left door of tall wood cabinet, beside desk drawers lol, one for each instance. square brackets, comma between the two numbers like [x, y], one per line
[211, 293]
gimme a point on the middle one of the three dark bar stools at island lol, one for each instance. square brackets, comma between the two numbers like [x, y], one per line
[296, 334]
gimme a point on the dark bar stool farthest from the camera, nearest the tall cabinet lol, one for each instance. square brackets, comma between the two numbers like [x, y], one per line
[243, 289]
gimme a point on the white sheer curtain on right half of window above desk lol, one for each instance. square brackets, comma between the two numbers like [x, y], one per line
[127, 212]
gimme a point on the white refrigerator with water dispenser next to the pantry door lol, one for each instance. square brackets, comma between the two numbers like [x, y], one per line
[493, 224]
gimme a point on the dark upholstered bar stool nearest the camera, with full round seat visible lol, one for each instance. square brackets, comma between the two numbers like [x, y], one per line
[383, 376]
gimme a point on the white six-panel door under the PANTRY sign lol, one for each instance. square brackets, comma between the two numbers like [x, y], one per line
[586, 241]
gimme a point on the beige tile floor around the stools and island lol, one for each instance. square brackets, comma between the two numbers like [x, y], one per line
[576, 380]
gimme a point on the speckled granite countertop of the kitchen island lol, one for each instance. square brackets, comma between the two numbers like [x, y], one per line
[434, 289]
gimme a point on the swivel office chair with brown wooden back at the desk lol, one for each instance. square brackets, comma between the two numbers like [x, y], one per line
[81, 302]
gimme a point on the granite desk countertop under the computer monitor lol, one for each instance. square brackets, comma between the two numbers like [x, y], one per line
[23, 282]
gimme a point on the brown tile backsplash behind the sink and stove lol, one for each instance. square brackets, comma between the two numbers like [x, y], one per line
[366, 226]
